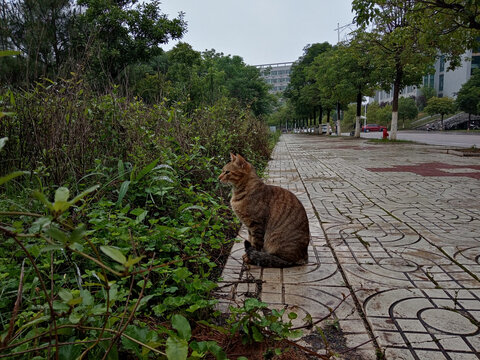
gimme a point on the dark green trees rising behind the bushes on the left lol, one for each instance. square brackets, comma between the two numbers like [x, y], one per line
[118, 43]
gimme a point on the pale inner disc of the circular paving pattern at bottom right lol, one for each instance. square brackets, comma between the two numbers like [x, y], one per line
[448, 321]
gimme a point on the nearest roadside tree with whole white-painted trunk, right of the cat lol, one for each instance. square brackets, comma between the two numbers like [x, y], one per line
[404, 53]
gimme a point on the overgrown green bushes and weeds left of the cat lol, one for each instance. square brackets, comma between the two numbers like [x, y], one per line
[128, 263]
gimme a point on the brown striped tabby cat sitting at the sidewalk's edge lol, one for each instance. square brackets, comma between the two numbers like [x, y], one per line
[277, 223]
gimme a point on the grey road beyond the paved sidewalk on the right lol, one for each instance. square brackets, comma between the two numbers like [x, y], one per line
[453, 139]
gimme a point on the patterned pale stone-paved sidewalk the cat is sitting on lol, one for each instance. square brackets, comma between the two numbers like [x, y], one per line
[395, 250]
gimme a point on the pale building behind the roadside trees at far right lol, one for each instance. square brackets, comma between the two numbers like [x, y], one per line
[446, 82]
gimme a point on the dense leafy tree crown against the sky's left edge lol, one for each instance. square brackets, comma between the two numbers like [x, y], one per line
[117, 33]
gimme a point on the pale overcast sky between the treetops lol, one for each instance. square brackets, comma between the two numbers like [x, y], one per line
[260, 31]
